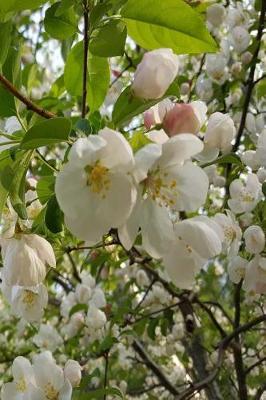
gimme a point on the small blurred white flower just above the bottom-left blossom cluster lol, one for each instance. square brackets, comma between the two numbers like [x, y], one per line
[47, 338]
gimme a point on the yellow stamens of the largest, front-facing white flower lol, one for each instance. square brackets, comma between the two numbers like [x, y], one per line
[97, 179]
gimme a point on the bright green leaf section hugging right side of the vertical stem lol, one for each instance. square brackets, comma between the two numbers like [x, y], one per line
[98, 81]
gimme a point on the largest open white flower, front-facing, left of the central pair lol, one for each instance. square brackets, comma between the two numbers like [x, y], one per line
[95, 189]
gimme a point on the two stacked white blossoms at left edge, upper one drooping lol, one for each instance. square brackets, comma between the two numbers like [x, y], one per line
[26, 260]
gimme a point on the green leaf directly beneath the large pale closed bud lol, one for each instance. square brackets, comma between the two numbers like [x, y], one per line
[127, 106]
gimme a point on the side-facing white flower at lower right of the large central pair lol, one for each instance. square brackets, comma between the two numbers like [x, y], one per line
[196, 241]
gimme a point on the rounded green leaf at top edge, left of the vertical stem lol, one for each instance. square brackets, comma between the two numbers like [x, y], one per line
[60, 25]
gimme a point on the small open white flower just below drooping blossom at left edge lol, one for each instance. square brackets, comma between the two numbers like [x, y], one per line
[29, 302]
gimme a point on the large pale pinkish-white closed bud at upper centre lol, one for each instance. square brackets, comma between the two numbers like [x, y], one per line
[155, 74]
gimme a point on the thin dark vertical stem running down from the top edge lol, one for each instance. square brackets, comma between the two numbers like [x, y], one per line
[85, 58]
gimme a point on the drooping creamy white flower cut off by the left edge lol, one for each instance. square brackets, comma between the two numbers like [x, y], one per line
[25, 259]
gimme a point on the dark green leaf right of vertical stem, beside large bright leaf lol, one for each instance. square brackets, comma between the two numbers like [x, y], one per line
[109, 40]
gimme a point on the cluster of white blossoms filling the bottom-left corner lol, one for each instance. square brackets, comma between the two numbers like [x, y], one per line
[42, 380]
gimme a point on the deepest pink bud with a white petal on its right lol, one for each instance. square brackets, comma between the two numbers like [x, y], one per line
[185, 118]
